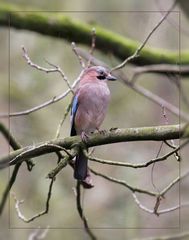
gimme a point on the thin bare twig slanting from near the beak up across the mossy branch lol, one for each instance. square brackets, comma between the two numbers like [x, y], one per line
[139, 49]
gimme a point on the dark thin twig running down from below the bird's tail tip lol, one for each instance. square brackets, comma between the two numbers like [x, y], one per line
[81, 214]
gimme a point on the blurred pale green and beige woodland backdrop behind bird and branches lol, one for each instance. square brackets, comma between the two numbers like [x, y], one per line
[110, 208]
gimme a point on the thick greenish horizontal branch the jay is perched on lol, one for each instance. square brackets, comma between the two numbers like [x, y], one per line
[158, 133]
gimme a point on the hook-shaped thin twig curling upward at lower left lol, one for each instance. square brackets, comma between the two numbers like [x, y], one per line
[45, 211]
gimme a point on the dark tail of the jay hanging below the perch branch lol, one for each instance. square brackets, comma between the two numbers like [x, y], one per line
[80, 171]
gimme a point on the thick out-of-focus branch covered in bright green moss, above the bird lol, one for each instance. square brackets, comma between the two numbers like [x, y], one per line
[60, 26]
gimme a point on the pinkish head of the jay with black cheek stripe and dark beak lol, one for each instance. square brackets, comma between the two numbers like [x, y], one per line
[97, 73]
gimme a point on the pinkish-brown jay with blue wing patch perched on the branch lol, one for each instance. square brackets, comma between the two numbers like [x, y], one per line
[88, 111]
